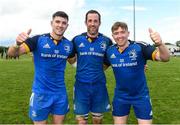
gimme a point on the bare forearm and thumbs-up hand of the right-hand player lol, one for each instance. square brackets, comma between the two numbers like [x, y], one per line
[162, 53]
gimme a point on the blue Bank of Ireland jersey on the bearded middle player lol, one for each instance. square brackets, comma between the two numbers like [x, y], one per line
[90, 57]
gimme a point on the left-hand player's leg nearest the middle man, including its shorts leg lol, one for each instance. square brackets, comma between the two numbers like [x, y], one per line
[60, 107]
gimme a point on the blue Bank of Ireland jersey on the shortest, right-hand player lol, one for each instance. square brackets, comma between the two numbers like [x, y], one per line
[128, 68]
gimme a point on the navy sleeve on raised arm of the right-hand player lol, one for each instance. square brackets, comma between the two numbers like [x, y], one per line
[147, 50]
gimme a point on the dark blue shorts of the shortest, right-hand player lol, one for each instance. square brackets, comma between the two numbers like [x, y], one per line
[142, 107]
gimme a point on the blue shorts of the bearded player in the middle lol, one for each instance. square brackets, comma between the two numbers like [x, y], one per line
[90, 97]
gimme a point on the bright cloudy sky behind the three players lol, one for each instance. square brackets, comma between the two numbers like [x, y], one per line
[163, 16]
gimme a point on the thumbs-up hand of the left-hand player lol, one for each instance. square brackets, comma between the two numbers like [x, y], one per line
[22, 37]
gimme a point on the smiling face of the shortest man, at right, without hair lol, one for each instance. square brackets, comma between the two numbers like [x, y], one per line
[120, 36]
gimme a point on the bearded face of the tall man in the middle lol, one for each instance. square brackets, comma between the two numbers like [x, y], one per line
[92, 23]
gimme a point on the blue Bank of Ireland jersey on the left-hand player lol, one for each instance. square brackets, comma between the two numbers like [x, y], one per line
[49, 61]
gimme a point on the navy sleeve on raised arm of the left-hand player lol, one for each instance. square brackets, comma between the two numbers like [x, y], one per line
[32, 42]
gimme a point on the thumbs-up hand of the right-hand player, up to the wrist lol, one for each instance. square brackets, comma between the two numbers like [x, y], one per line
[155, 37]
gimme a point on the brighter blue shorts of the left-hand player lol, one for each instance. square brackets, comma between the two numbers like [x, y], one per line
[41, 105]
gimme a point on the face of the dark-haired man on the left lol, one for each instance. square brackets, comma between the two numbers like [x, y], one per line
[59, 25]
